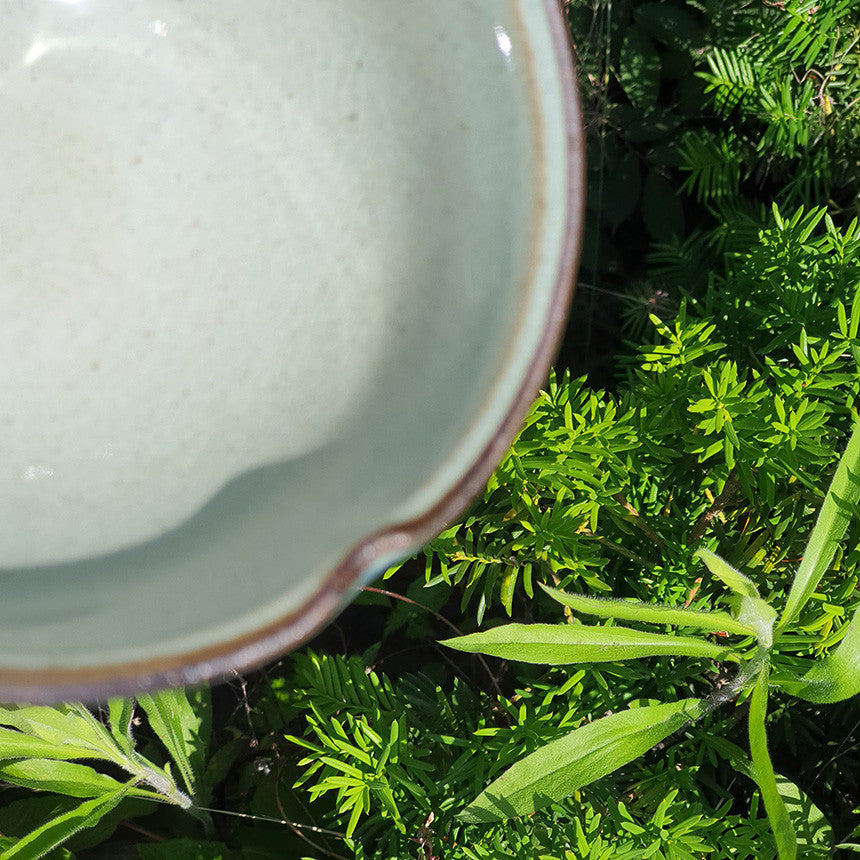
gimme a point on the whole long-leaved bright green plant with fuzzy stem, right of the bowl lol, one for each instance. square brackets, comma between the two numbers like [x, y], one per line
[597, 748]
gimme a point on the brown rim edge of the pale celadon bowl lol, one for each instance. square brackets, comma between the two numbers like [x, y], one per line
[230, 658]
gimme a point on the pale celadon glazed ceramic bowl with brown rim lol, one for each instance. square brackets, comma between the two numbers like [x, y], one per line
[279, 280]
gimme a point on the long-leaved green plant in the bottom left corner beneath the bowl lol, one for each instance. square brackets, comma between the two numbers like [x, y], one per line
[71, 756]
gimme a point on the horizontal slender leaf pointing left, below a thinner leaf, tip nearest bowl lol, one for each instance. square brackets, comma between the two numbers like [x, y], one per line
[558, 644]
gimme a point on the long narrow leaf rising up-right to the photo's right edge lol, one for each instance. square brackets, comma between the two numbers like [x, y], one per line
[840, 505]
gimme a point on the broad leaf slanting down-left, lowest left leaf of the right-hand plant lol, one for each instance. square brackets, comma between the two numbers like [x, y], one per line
[561, 767]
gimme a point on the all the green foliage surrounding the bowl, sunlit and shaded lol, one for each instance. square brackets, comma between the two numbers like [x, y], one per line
[722, 237]
